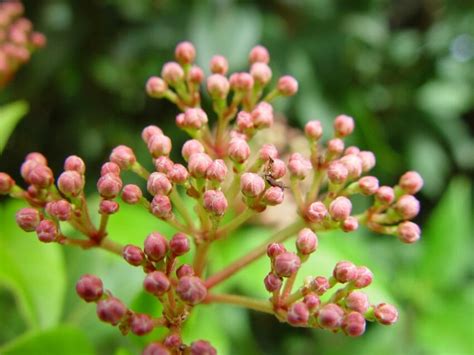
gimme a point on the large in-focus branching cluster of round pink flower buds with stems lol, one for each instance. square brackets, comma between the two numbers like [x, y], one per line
[226, 173]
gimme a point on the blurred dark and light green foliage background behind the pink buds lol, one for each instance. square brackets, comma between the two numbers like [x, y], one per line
[403, 69]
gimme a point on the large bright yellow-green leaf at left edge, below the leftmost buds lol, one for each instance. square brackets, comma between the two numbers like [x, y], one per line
[32, 270]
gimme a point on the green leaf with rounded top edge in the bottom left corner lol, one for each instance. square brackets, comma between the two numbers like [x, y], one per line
[59, 341]
